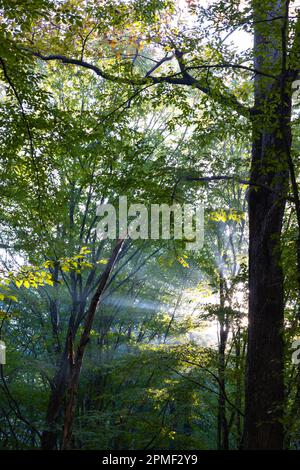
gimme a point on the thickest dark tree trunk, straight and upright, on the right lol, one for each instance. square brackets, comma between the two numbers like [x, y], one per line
[271, 142]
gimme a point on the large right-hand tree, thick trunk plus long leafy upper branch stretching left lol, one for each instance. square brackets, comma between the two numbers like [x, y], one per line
[201, 61]
